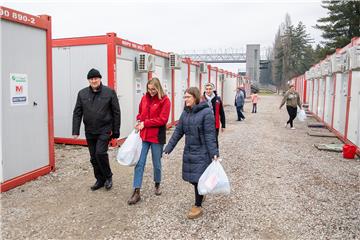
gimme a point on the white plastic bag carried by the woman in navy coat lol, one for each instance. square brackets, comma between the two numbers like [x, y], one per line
[214, 180]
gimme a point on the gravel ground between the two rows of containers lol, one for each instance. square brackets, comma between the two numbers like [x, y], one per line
[281, 188]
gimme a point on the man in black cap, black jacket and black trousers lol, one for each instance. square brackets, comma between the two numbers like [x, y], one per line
[99, 107]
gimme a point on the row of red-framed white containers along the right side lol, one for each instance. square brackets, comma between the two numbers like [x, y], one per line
[332, 90]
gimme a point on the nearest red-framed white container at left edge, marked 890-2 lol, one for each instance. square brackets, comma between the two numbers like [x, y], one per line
[26, 108]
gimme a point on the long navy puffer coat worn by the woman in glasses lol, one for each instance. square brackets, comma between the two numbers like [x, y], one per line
[200, 140]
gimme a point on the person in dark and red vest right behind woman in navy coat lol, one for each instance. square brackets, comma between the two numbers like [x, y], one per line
[216, 106]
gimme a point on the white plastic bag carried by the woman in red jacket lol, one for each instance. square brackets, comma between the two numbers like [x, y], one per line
[130, 150]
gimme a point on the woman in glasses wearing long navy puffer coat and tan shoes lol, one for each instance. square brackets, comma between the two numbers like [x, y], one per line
[197, 124]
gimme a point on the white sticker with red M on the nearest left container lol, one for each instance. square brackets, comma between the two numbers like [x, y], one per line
[18, 89]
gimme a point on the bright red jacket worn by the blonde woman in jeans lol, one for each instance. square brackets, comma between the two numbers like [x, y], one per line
[154, 112]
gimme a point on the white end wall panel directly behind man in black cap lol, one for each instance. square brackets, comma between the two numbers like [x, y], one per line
[70, 67]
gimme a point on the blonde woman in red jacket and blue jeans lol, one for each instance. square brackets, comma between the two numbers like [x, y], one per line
[154, 110]
